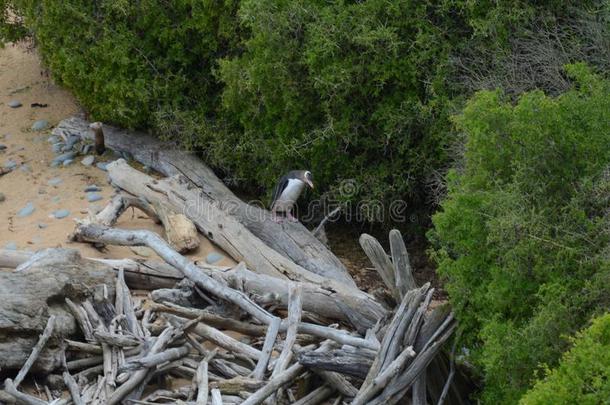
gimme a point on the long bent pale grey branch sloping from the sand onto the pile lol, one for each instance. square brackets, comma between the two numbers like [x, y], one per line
[94, 233]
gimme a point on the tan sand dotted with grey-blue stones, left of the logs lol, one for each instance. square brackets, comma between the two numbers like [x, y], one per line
[23, 78]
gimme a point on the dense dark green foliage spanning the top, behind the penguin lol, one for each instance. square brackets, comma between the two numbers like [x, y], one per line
[352, 90]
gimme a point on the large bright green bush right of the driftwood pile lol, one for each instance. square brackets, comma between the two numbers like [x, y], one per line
[522, 239]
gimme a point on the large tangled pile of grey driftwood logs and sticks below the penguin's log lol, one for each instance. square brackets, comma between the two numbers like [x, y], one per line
[269, 330]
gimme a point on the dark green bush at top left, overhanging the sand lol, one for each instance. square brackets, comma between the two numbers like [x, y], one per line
[129, 61]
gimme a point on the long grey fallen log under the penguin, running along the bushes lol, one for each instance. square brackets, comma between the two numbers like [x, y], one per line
[292, 240]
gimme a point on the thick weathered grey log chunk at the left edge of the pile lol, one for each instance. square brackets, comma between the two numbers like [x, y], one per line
[37, 291]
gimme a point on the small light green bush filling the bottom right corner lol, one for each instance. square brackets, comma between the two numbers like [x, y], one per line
[583, 374]
